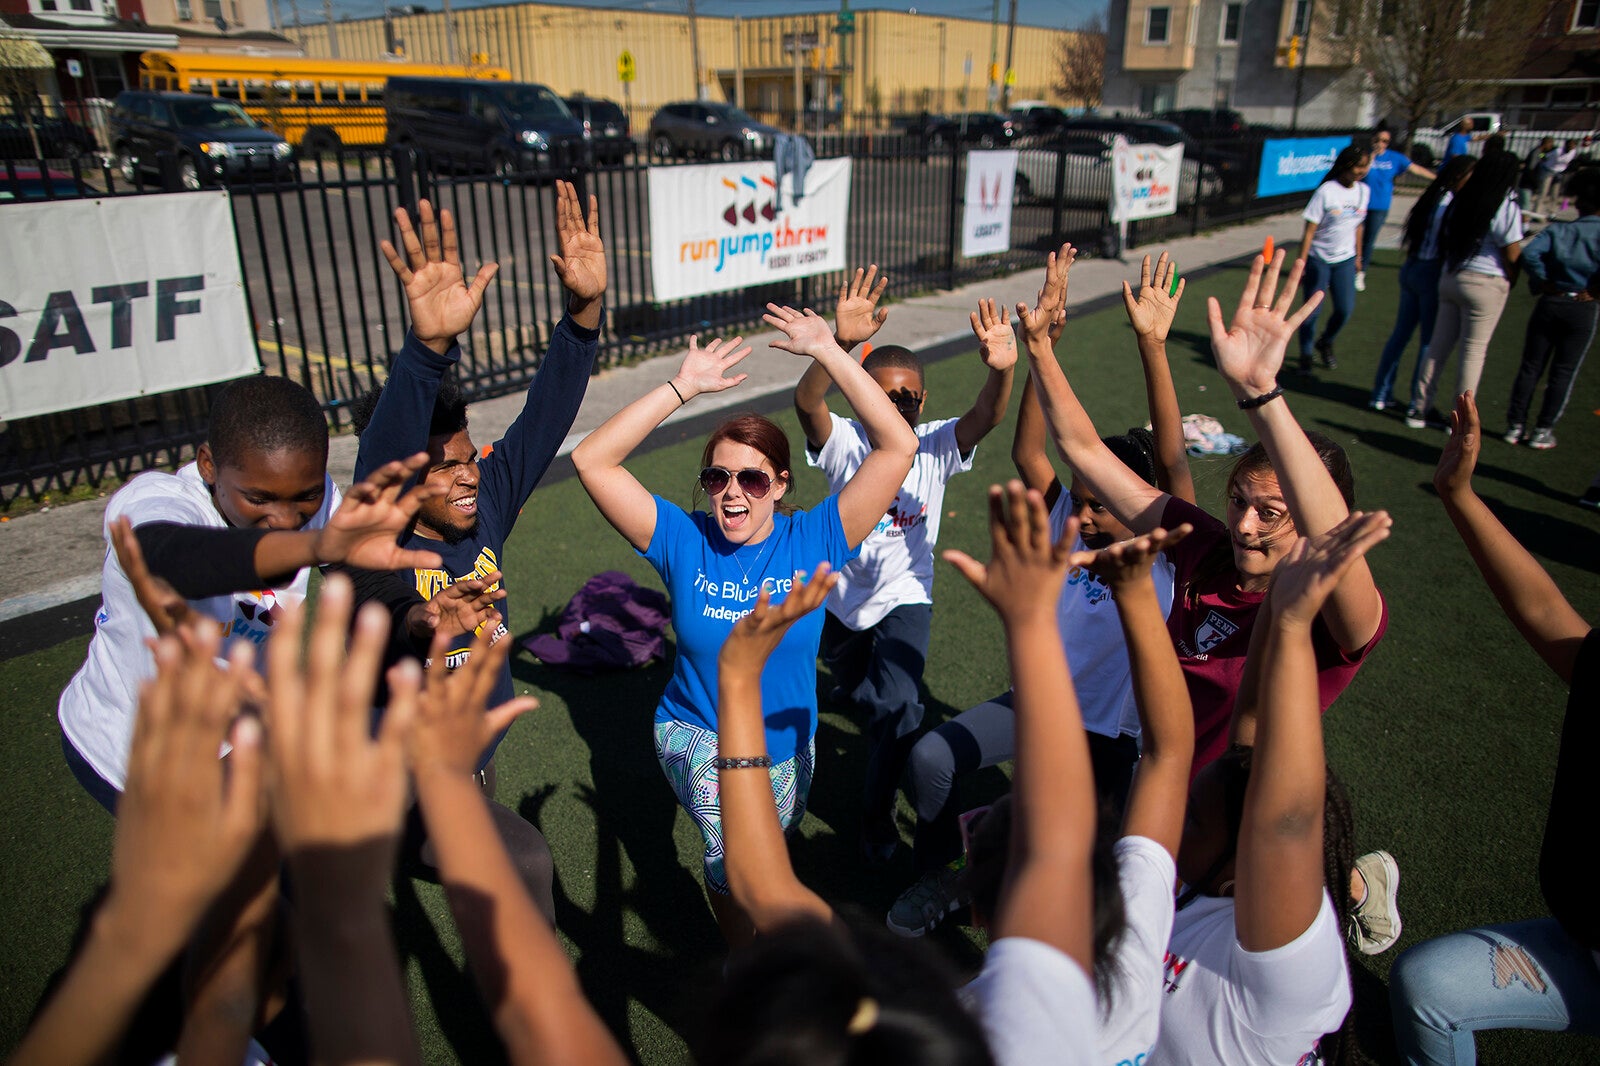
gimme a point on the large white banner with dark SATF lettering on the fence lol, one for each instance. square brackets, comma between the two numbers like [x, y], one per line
[118, 299]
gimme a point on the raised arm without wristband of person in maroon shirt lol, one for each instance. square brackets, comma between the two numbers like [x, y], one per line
[1135, 503]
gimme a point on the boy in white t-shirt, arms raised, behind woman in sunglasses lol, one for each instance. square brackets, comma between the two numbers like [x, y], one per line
[879, 617]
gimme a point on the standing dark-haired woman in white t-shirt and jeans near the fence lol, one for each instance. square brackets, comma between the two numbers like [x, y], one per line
[1332, 249]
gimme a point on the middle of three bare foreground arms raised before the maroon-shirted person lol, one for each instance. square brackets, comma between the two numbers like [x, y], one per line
[1167, 729]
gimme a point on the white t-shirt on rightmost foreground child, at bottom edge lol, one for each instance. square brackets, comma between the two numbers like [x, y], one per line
[1225, 1006]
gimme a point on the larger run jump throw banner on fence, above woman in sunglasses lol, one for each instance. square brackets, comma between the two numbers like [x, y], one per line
[735, 225]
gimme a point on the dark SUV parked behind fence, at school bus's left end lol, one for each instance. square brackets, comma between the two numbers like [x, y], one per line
[214, 140]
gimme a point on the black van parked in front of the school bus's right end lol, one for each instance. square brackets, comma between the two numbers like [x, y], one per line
[474, 124]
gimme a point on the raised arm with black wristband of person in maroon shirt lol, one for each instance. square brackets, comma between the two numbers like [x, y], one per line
[1250, 356]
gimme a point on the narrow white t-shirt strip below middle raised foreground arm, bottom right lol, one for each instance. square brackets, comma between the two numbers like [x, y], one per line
[1146, 875]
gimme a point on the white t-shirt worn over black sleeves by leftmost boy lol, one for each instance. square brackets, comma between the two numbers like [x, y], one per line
[98, 707]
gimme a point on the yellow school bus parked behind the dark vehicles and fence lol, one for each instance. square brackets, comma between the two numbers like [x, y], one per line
[316, 105]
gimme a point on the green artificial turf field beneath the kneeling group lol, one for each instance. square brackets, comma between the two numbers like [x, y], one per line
[1446, 740]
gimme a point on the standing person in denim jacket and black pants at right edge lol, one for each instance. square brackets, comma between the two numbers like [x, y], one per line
[1564, 270]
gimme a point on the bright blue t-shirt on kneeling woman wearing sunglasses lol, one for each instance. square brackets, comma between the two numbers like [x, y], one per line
[714, 585]
